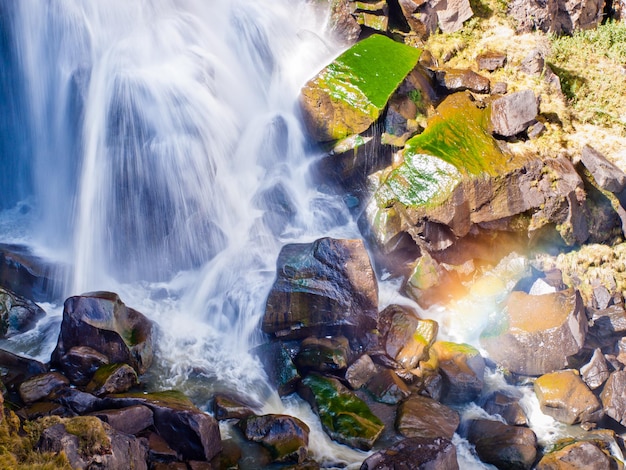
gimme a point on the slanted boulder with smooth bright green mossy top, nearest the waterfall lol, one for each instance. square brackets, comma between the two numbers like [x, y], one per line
[349, 95]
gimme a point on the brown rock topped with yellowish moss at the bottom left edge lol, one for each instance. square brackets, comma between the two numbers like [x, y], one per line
[89, 443]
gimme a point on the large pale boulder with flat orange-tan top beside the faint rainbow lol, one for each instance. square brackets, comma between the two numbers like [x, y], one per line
[537, 333]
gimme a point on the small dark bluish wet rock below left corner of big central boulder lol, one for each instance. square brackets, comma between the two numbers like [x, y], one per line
[279, 366]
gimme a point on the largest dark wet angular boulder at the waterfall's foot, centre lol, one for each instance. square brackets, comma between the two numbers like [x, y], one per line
[326, 287]
